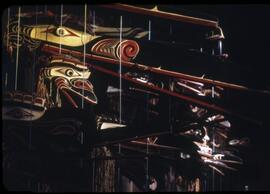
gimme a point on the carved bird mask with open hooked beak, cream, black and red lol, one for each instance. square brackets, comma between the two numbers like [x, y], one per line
[65, 79]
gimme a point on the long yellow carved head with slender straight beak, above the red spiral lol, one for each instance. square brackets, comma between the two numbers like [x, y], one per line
[32, 35]
